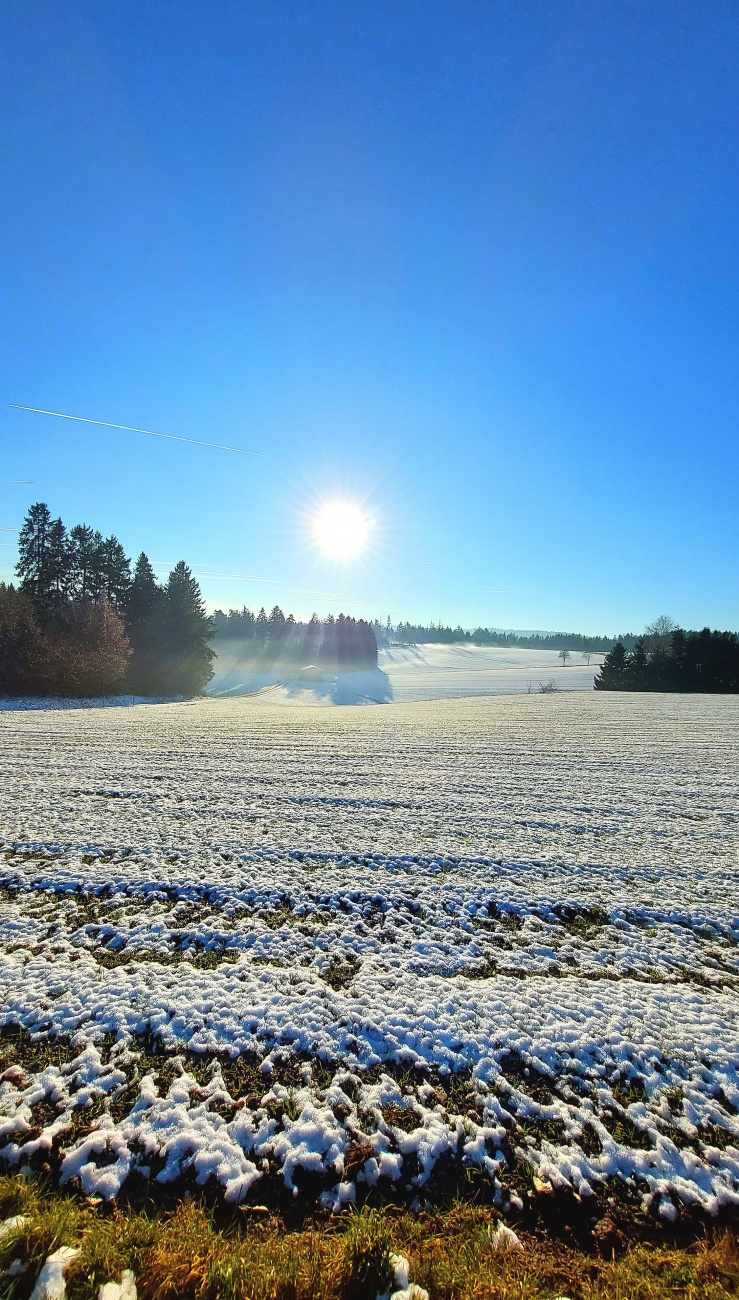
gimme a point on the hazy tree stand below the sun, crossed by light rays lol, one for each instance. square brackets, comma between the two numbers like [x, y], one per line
[338, 644]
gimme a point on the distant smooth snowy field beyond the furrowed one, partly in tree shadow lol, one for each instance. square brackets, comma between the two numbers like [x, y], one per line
[409, 673]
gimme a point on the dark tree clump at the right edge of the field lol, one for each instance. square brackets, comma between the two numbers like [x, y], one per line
[675, 661]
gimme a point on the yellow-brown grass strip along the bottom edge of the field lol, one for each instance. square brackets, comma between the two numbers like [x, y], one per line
[252, 1256]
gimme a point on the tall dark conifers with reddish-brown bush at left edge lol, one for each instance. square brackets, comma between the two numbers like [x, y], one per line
[81, 623]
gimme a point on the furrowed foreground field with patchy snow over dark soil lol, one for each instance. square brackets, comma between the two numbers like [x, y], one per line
[487, 943]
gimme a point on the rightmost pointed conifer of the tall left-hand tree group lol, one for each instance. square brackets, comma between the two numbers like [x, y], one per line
[188, 632]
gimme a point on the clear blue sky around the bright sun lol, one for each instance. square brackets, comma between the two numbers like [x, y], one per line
[472, 263]
